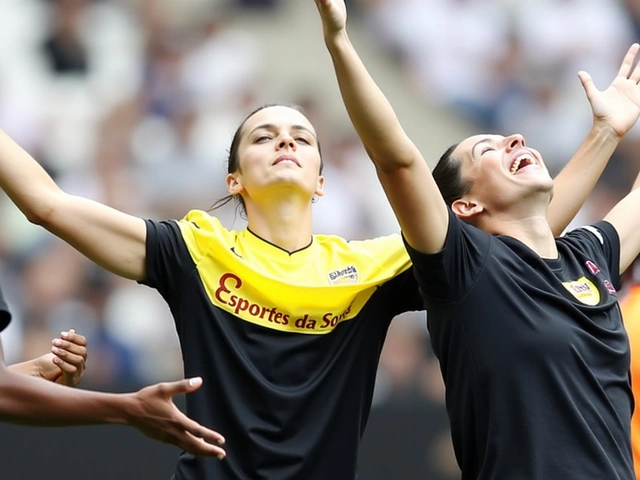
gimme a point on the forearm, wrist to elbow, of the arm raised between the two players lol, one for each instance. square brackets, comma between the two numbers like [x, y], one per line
[369, 110]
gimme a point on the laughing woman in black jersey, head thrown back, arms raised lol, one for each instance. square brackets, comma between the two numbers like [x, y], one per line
[526, 326]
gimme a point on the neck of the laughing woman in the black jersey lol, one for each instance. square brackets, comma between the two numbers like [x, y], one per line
[533, 230]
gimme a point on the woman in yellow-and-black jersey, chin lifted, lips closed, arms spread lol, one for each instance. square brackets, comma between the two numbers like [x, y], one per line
[285, 327]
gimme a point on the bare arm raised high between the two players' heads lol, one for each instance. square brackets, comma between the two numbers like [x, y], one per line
[405, 176]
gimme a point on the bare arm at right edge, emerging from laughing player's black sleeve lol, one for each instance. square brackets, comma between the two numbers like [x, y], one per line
[625, 217]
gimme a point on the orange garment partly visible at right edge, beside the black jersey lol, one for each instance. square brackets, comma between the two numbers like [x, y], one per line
[630, 306]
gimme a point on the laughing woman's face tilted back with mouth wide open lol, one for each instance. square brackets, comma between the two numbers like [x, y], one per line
[503, 170]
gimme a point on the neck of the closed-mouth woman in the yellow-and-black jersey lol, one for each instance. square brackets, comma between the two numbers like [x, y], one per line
[286, 224]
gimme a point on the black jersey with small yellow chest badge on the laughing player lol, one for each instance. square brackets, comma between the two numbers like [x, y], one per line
[533, 353]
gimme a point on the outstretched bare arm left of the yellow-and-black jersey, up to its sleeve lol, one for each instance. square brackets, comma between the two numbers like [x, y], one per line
[112, 239]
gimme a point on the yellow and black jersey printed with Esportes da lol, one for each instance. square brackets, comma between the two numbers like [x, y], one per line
[287, 344]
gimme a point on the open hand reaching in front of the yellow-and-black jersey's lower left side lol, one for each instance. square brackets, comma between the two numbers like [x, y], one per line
[159, 418]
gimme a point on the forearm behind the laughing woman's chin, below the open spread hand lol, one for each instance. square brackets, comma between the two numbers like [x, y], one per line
[577, 179]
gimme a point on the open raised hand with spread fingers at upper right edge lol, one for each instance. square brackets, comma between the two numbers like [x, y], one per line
[617, 107]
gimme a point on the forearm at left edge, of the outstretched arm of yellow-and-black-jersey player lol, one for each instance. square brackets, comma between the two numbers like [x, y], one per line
[25, 181]
